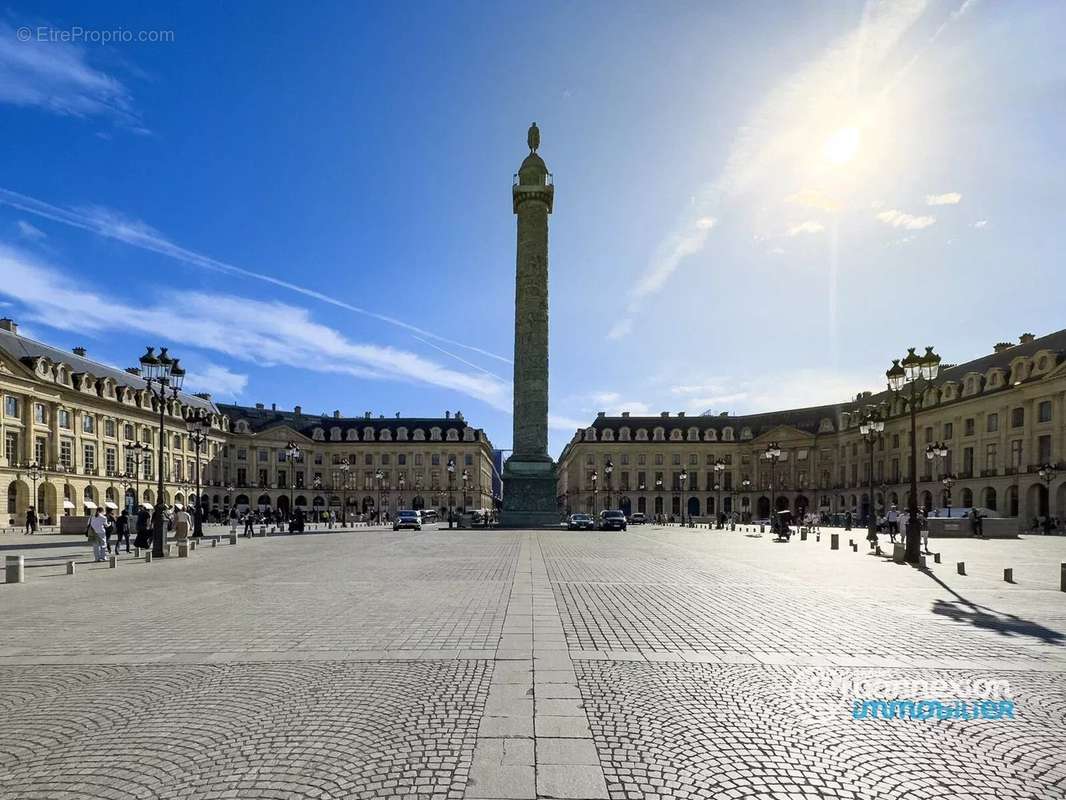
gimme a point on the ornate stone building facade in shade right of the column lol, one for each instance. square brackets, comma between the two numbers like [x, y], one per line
[1000, 419]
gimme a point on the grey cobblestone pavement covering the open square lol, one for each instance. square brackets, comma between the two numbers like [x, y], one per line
[496, 665]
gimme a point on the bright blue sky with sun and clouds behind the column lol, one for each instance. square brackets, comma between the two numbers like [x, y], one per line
[758, 205]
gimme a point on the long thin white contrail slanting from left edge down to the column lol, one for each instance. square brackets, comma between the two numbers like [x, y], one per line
[147, 238]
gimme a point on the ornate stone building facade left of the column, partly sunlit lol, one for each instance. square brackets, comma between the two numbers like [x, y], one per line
[79, 435]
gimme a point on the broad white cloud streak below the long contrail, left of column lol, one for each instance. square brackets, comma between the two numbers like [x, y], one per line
[263, 333]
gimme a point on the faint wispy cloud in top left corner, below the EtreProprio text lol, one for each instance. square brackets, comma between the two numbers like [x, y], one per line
[57, 77]
